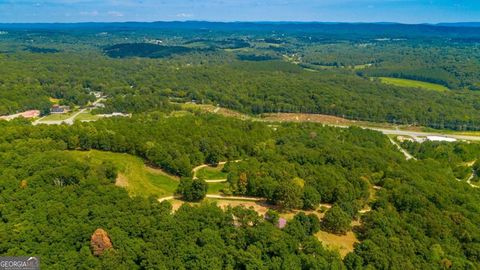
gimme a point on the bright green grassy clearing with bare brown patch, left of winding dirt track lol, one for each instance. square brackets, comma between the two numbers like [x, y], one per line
[134, 175]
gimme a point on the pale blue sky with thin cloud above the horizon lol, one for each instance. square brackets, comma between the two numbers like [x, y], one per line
[406, 11]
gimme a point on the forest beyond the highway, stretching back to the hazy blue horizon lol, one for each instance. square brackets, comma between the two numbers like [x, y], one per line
[311, 69]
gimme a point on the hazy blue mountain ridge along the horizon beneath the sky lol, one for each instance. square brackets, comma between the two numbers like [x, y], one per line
[369, 30]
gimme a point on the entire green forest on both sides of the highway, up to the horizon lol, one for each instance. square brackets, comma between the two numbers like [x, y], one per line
[421, 213]
